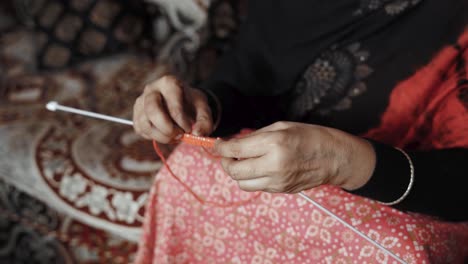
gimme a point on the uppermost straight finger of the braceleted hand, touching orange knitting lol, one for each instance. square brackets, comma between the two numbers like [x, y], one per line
[249, 147]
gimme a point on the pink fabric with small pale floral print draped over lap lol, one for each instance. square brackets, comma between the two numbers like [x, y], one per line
[279, 228]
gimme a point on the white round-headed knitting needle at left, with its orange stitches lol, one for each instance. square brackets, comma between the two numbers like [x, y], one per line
[187, 138]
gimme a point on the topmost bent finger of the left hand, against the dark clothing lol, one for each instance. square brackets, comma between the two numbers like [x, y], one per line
[173, 93]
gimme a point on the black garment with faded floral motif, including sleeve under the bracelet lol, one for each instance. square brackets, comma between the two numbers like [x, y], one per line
[336, 63]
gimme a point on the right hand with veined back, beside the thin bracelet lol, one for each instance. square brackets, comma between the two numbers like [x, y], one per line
[290, 157]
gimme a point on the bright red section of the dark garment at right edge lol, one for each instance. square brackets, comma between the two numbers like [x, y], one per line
[428, 110]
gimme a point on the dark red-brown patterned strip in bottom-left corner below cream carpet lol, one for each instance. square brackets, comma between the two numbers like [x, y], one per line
[32, 232]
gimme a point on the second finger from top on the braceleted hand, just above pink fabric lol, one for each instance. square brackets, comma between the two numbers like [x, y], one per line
[244, 169]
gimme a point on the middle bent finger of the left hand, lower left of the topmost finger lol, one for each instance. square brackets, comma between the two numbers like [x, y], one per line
[157, 115]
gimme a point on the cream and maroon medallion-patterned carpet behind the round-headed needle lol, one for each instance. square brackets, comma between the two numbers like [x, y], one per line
[95, 174]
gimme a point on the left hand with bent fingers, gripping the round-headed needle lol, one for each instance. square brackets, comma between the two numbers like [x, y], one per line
[167, 108]
